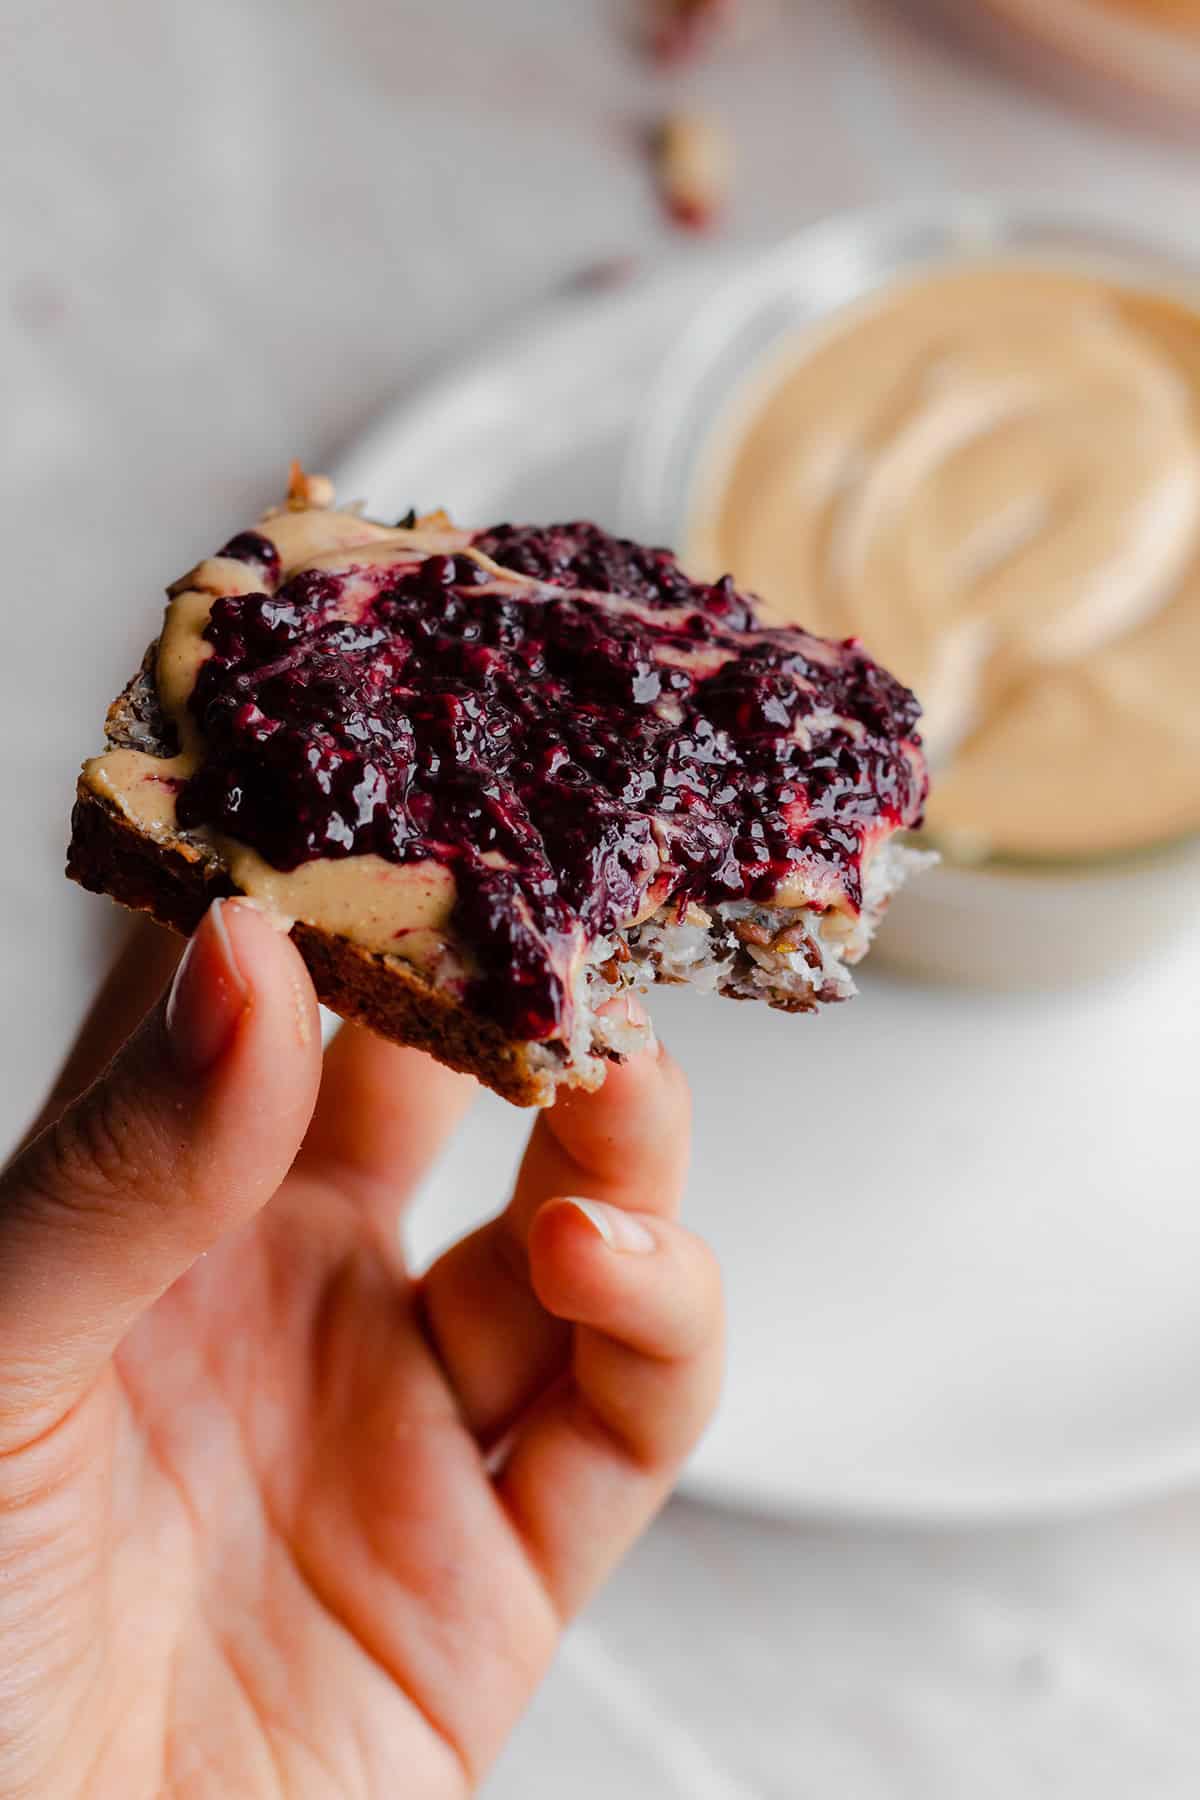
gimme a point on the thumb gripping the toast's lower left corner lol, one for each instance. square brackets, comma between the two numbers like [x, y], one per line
[188, 1133]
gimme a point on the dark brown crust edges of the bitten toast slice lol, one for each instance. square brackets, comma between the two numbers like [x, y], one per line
[175, 879]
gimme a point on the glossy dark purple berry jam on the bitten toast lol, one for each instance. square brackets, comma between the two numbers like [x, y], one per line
[550, 733]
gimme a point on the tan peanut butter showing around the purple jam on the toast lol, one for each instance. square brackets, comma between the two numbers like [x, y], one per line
[406, 910]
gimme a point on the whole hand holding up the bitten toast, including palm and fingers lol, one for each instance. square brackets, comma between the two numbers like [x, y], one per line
[278, 1518]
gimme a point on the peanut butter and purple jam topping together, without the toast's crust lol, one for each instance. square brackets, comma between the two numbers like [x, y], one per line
[488, 753]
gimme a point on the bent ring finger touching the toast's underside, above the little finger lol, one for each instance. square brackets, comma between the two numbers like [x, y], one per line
[625, 1146]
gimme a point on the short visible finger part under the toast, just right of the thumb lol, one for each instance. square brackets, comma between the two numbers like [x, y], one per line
[382, 1117]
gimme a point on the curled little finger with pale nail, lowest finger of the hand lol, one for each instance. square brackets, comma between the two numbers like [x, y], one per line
[598, 1457]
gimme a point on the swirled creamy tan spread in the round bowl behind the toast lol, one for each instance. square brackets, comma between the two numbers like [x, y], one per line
[994, 480]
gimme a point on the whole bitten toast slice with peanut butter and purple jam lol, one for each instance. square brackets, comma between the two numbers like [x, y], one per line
[602, 894]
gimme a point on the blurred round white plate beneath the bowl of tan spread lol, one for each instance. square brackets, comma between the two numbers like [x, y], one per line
[962, 1234]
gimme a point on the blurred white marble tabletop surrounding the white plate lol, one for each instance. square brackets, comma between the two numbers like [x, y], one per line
[231, 231]
